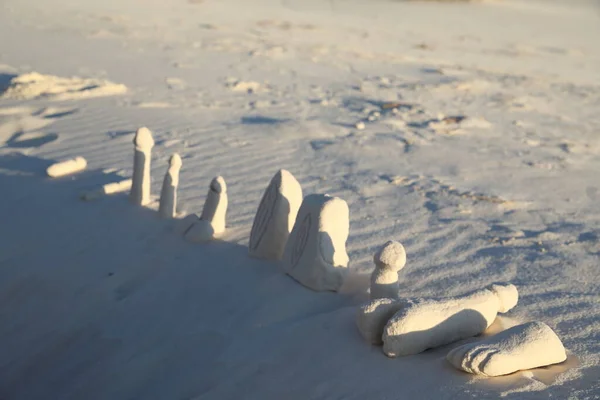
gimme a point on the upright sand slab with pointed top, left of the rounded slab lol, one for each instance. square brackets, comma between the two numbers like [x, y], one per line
[275, 217]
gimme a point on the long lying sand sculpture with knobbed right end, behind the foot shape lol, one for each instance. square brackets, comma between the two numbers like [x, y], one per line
[431, 323]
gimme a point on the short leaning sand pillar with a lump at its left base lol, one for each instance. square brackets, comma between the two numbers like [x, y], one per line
[211, 224]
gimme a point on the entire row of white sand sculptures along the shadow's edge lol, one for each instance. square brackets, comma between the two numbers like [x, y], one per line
[308, 236]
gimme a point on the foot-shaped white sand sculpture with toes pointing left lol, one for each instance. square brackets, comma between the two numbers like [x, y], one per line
[526, 346]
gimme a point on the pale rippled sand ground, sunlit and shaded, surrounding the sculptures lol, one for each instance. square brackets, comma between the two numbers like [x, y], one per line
[102, 300]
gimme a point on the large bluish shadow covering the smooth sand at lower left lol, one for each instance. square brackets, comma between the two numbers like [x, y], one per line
[104, 301]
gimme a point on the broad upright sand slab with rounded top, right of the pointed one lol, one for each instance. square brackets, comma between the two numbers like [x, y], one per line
[315, 253]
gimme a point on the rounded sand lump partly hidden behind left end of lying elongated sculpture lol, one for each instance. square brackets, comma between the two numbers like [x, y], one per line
[374, 315]
